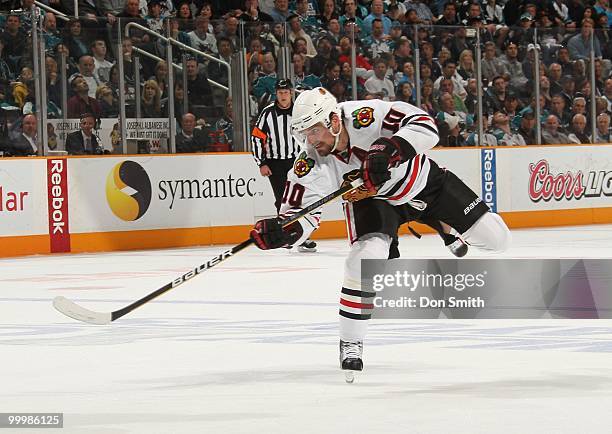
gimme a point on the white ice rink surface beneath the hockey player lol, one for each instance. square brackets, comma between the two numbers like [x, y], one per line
[251, 347]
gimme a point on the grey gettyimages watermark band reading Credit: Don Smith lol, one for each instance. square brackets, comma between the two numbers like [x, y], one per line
[489, 288]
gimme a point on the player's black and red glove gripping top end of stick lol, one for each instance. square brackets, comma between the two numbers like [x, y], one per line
[383, 154]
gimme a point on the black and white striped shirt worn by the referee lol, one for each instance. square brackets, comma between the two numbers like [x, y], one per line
[271, 138]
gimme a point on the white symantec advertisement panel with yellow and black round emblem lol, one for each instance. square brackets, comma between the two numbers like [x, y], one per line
[136, 193]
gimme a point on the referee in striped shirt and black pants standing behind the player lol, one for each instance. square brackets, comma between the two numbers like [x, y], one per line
[274, 148]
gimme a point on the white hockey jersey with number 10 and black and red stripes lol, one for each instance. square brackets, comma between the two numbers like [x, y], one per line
[314, 177]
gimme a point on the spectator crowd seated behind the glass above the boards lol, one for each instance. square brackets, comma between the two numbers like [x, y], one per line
[320, 35]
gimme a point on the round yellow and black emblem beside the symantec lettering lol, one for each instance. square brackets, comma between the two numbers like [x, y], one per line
[128, 190]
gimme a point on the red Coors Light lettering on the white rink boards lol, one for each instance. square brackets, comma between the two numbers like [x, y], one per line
[544, 185]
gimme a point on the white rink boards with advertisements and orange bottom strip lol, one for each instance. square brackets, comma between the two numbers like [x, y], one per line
[87, 204]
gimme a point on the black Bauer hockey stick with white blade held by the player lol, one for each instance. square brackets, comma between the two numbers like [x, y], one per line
[73, 310]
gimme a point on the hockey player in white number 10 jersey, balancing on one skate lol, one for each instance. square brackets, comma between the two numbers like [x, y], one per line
[383, 142]
